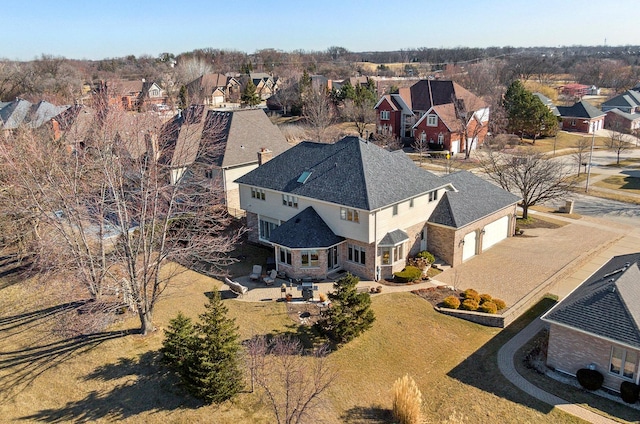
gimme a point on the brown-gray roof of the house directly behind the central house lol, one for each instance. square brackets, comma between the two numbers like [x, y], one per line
[239, 135]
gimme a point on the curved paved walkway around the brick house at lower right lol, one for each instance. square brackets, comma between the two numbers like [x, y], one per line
[507, 368]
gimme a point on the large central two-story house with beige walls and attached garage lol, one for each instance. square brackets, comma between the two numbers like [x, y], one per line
[356, 207]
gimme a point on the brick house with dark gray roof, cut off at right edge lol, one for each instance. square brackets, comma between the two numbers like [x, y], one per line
[598, 324]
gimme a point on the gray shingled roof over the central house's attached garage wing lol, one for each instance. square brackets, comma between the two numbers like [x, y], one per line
[474, 199]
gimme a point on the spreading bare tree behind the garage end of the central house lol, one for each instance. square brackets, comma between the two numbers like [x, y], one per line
[528, 174]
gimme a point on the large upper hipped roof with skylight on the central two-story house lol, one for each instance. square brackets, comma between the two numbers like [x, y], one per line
[351, 172]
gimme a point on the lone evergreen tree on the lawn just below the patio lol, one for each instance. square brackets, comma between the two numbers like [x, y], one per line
[350, 313]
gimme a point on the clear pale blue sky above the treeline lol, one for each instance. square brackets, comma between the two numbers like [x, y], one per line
[97, 29]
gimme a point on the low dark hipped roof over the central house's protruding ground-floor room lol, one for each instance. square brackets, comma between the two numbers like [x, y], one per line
[306, 230]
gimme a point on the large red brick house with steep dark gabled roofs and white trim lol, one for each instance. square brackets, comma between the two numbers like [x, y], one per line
[435, 111]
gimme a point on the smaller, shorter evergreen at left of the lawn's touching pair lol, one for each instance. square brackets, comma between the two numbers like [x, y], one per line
[178, 344]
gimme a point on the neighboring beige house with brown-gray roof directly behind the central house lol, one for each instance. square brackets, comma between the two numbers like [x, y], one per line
[243, 139]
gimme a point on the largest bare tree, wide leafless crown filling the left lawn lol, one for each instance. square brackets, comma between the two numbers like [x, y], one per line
[103, 207]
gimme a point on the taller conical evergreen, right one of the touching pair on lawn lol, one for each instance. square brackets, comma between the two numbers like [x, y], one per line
[214, 372]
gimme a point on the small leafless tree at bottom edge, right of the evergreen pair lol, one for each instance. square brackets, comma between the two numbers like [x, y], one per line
[292, 382]
